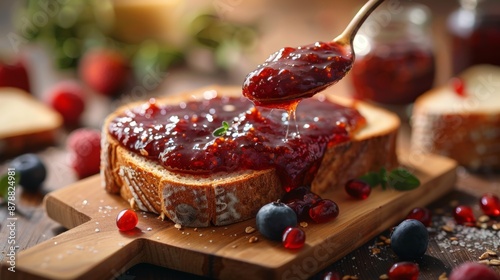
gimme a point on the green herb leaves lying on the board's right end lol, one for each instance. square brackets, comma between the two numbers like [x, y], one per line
[399, 179]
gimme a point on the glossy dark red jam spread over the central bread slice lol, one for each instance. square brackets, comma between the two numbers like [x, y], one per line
[180, 136]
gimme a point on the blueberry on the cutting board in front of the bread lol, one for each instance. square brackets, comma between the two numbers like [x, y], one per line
[273, 218]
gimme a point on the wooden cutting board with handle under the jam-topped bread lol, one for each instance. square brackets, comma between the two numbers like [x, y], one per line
[93, 248]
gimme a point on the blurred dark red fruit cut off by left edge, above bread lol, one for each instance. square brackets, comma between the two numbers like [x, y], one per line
[14, 75]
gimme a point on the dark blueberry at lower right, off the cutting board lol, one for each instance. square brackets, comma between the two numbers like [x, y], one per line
[410, 239]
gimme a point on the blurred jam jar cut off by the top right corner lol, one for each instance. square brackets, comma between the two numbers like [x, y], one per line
[475, 34]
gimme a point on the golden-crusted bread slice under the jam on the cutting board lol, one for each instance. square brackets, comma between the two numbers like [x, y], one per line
[226, 198]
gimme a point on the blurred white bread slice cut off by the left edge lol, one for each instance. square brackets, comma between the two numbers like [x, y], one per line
[27, 123]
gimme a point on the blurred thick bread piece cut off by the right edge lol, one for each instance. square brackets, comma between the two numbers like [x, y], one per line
[465, 128]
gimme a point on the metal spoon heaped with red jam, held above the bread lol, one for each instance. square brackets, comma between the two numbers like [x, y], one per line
[292, 74]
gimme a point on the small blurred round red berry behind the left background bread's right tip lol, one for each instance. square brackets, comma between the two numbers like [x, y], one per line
[67, 99]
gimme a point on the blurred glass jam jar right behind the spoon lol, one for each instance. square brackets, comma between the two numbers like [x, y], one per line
[395, 60]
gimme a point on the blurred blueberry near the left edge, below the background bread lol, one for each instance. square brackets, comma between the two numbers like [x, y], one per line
[31, 170]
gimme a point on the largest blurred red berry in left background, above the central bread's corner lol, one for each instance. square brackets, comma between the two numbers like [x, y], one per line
[104, 71]
